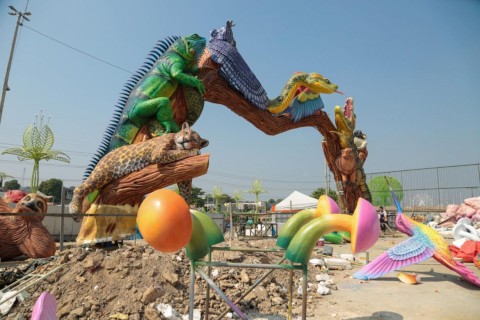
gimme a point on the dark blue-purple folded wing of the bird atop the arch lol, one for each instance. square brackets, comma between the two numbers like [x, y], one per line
[237, 73]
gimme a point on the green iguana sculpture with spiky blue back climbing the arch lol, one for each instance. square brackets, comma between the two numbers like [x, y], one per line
[146, 97]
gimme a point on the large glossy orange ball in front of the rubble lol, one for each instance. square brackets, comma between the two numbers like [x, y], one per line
[164, 220]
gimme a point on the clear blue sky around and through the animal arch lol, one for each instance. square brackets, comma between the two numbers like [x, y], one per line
[412, 67]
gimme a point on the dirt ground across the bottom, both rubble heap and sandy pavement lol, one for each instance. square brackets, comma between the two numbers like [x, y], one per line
[134, 281]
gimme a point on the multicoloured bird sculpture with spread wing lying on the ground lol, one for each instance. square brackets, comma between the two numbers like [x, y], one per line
[424, 242]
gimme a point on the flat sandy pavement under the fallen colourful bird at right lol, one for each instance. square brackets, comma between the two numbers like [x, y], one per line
[442, 294]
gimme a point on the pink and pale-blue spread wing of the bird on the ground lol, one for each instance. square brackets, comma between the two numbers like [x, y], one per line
[408, 252]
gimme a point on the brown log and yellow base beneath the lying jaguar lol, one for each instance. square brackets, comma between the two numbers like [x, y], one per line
[124, 195]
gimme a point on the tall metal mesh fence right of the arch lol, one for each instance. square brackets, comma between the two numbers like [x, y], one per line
[435, 188]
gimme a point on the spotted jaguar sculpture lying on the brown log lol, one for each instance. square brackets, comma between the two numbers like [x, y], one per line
[124, 160]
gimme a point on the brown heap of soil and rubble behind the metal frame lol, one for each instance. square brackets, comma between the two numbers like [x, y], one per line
[137, 282]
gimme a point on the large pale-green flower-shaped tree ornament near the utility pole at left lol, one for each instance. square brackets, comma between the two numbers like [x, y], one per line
[38, 140]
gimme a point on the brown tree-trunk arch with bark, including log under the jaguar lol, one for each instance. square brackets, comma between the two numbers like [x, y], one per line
[131, 189]
